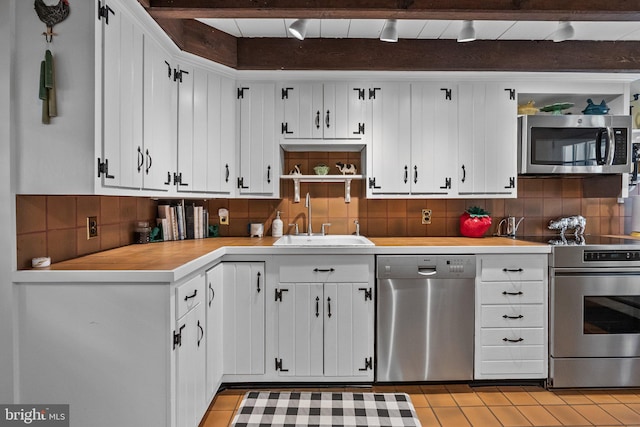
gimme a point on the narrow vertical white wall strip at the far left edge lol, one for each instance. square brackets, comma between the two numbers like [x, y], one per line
[7, 204]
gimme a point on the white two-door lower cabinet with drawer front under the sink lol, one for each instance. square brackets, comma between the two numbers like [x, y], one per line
[323, 314]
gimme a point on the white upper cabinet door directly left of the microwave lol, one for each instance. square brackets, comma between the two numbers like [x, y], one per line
[487, 140]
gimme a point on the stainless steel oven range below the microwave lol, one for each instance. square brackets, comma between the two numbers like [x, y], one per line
[595, 314]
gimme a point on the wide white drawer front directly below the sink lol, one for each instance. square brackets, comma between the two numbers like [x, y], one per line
[326, 269]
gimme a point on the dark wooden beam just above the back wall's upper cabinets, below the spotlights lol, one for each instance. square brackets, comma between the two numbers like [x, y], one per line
[437, 55]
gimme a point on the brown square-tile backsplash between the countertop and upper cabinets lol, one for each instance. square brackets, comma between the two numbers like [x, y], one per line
[55, 226]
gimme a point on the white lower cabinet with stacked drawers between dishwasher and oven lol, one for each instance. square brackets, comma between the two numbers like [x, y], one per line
[511, 317]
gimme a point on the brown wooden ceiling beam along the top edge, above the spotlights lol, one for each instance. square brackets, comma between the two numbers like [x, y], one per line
[575, 10]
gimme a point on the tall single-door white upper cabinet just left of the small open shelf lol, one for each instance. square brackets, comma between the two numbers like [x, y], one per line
[259, 165]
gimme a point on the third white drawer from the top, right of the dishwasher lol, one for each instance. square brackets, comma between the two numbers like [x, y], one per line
[522, 316]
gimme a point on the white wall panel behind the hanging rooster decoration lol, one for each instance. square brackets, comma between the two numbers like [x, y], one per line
[43, 152]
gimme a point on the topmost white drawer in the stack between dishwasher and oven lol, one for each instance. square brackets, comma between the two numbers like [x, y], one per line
[513, 268]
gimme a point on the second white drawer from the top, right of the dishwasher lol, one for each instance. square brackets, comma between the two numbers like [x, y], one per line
[512, 293]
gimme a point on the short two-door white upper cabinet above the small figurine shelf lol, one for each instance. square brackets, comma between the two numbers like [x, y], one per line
[323, 111]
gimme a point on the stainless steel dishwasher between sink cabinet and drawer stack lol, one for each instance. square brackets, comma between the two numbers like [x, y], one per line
[425, 317]
